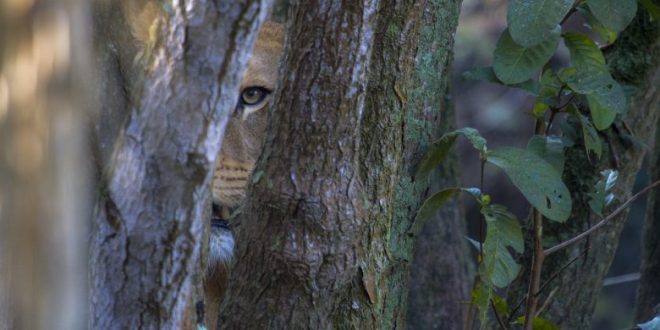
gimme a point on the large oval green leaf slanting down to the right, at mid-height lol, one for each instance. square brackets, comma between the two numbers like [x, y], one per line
[538, 181]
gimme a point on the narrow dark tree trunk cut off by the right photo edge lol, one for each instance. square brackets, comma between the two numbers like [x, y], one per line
[648, 293]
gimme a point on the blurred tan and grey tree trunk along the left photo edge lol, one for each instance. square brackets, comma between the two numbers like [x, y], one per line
[44, 74]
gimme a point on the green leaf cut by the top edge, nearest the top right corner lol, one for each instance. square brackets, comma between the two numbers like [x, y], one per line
[614, 14]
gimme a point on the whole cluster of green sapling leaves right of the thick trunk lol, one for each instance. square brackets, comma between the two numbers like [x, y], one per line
[584, 92]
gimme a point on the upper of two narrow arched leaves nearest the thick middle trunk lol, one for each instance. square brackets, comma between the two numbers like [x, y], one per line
[440, 148]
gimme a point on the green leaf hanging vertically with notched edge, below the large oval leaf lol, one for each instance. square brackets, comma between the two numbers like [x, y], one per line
[503, 231]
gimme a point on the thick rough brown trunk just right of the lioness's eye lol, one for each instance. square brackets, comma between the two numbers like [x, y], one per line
[326, 235]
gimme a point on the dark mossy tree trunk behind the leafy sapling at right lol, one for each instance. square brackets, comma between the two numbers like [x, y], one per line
[633, 60]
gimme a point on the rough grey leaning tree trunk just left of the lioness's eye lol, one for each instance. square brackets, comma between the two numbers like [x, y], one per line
[148, 223]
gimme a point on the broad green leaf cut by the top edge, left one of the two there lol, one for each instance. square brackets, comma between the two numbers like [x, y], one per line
[531, 20]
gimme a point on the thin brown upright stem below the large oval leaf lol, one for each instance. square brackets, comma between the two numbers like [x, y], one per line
[537, 265]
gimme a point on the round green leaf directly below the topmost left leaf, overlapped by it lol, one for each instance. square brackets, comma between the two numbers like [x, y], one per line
[516, 64]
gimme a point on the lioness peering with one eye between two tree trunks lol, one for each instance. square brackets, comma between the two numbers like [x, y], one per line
[242, 141]
